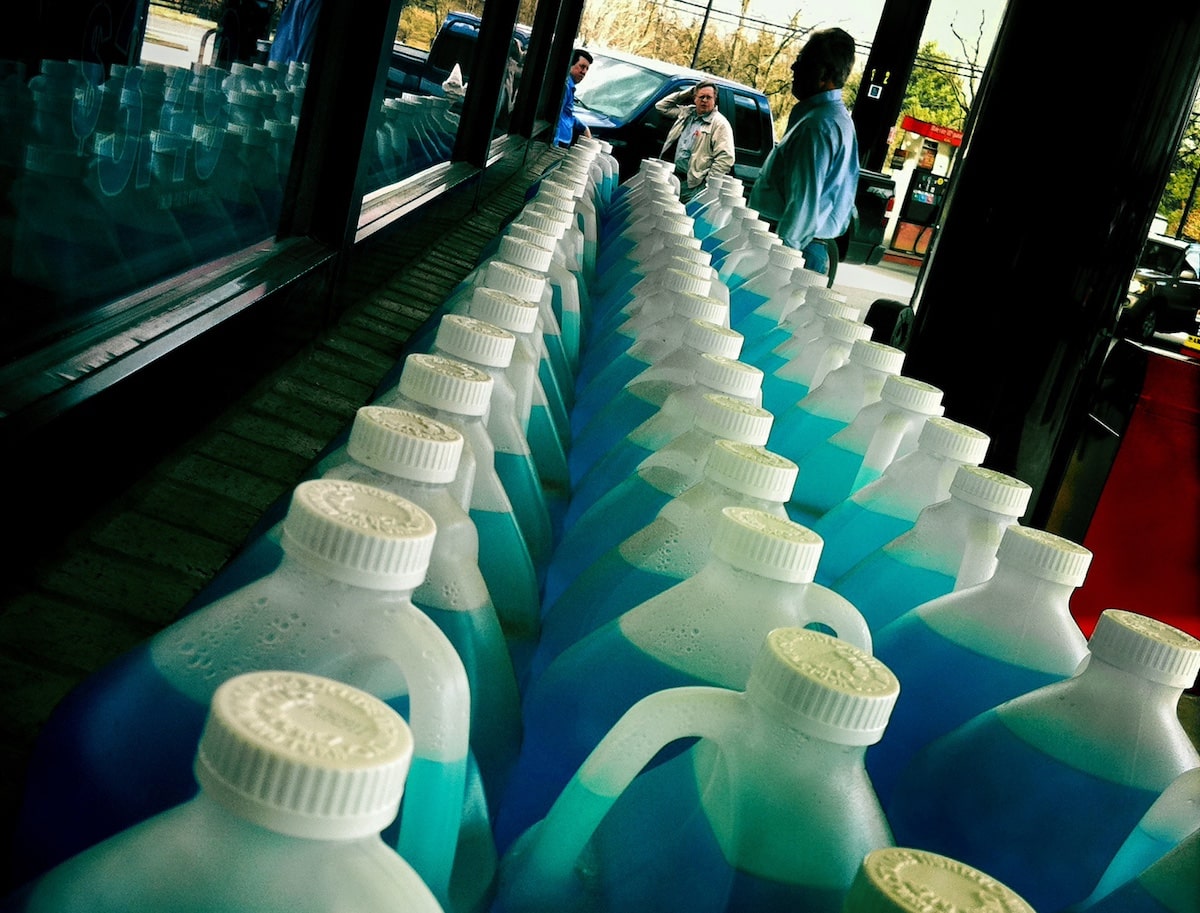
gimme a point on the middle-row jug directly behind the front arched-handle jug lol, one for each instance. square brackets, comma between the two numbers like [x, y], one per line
[704, 630]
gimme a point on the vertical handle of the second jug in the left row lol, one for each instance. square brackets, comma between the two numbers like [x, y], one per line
[440, 717]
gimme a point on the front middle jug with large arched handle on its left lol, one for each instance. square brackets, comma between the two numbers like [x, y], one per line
[770, 809]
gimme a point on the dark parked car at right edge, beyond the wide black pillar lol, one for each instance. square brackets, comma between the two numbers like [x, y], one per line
[1165, 291]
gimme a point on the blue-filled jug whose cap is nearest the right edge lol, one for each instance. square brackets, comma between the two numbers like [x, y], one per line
[1042, 790]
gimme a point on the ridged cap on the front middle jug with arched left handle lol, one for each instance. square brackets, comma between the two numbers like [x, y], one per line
[826, 687]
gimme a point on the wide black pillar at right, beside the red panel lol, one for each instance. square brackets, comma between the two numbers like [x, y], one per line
[1061, 169]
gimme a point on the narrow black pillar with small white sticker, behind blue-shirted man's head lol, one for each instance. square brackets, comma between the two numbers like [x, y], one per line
[886, 77]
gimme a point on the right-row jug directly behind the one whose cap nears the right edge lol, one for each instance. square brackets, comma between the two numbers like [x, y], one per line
[995, 641]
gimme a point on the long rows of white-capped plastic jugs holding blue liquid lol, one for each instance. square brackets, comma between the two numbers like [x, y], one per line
[626, 702]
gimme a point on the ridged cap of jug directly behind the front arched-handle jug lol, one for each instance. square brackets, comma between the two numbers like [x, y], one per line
[766, 545]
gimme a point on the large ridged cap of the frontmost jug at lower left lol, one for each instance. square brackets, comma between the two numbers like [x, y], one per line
[304, 755]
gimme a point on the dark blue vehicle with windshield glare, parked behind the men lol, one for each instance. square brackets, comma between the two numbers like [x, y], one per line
[617, 98]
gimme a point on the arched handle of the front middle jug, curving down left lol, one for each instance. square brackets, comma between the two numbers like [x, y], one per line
[547, 863]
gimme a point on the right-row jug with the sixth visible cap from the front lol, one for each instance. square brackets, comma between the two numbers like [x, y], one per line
[832, 406]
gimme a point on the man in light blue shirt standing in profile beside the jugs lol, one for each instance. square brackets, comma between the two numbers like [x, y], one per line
[808, 184]
